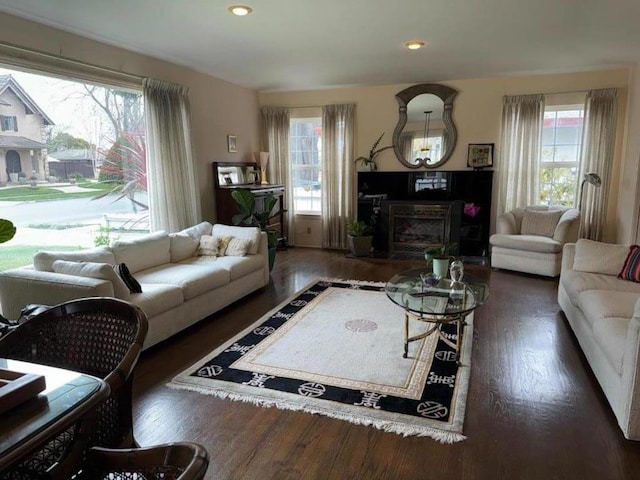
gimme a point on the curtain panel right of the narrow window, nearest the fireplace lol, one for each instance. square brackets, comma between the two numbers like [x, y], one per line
[337, 173]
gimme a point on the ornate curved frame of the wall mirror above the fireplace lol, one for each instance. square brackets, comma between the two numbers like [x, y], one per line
[446, 94]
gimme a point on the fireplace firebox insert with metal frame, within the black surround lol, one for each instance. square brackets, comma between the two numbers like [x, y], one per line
[414, 226]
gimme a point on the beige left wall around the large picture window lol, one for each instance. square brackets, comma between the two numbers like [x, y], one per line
[218, 108]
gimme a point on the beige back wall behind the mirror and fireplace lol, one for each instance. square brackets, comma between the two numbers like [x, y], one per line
[477, 114]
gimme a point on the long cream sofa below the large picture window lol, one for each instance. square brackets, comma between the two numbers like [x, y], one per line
[179, 287]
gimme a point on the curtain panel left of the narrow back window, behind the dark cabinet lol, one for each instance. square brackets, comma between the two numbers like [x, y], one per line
[275, 140]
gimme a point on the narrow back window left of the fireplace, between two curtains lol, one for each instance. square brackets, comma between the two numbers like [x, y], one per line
[305, 153]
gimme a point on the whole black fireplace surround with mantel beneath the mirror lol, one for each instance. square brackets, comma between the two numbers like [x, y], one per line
[408, 209]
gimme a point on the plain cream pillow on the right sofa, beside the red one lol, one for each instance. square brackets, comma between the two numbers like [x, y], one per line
[598, 257]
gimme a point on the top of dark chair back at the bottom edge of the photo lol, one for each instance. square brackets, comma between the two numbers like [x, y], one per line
[183, 461]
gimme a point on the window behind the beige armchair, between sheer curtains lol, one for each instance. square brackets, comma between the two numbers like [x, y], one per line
[560, 154]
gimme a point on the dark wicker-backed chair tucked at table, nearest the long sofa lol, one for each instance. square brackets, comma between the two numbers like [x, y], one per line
[102, 337]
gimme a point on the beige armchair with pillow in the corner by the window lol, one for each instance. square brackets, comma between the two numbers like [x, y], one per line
[530, 239]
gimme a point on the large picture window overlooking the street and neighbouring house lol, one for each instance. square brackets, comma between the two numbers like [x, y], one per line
[75, 174]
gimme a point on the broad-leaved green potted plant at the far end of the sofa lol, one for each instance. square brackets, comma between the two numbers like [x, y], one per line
[251, 215]
